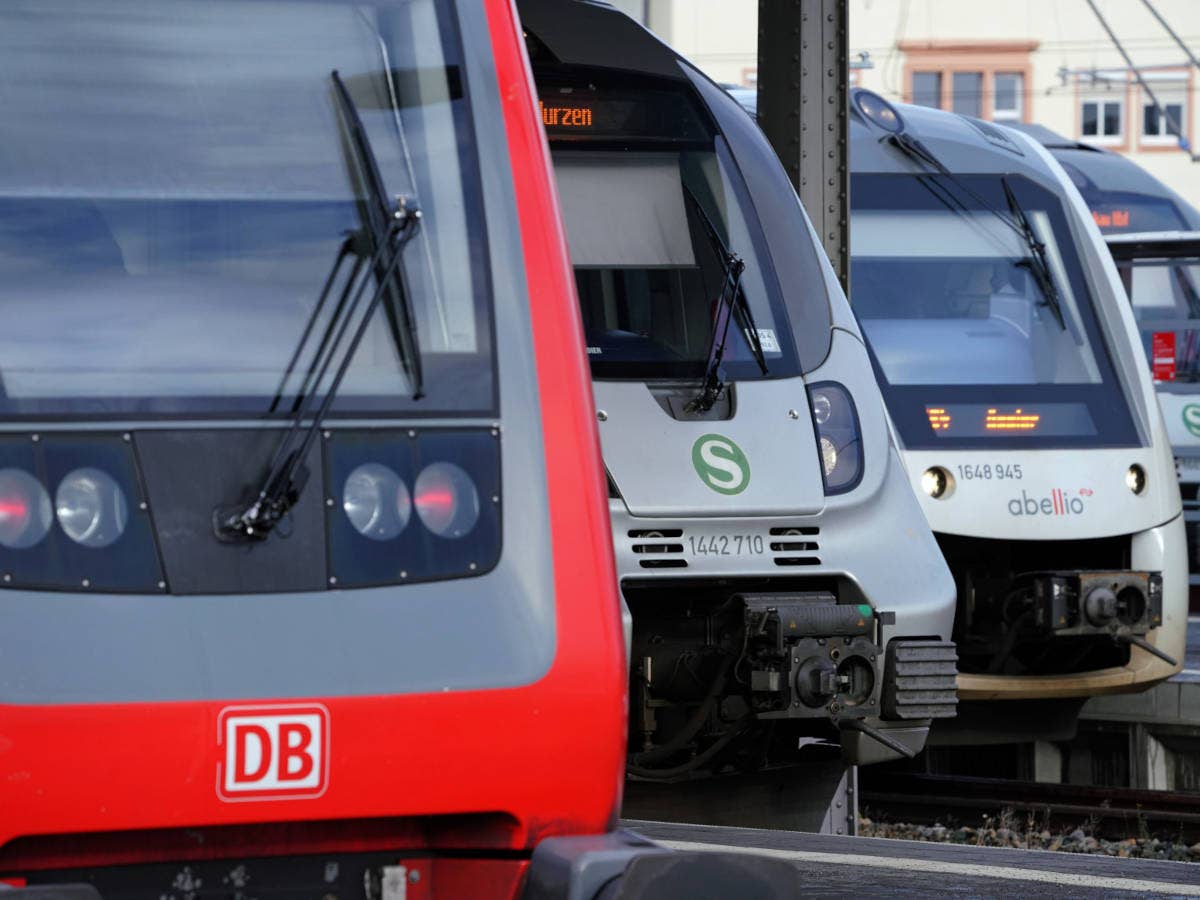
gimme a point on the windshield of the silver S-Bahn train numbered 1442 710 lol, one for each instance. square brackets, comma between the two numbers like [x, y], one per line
[656, 211]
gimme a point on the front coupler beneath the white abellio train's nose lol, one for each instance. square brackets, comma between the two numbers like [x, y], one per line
[1123, 605]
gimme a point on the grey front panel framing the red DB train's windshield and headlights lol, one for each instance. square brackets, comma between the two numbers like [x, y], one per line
[409, 639]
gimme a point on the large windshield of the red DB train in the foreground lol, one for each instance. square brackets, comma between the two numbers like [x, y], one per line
[177, 183]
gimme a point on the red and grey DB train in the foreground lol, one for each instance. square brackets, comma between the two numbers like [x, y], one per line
[307, 581]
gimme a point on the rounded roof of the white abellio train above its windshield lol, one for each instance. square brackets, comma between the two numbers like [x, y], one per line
[962, 143]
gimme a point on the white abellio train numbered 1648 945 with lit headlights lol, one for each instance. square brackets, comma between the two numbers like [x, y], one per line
[1019, 392]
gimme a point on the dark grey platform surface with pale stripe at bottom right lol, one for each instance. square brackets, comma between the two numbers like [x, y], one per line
[832, 866]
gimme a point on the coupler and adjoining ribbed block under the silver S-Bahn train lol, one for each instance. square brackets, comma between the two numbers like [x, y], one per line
[812, 658]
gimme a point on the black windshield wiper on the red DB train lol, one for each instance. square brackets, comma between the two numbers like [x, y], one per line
[379, 247]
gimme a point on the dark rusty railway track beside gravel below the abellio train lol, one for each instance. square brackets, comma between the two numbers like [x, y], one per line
[1114, 813]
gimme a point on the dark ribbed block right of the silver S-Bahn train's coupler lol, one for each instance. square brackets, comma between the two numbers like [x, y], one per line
[920, 681]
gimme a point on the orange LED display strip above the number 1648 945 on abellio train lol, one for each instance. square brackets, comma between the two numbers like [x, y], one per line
[993, 421]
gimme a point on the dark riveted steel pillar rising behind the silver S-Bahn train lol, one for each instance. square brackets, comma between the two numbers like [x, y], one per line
[803, 55]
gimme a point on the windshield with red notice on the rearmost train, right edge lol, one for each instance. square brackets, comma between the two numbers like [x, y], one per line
[1165, 289]
